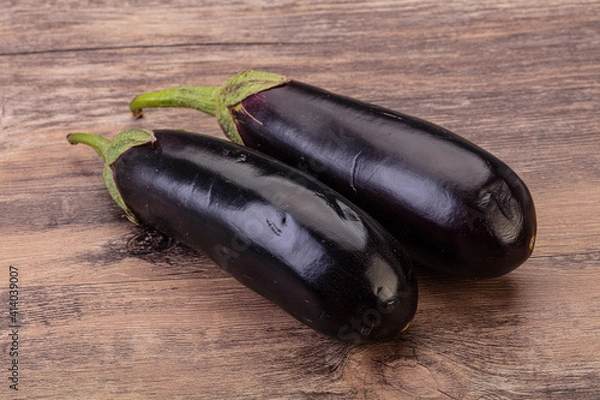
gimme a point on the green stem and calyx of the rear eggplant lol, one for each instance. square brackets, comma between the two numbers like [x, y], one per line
[213, 100]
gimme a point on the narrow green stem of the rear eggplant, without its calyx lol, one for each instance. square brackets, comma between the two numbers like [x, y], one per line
[201, 98]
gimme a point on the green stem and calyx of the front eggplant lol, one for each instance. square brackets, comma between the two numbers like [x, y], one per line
[110, 152]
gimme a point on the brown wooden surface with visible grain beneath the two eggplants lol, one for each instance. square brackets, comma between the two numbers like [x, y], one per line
[107, 310]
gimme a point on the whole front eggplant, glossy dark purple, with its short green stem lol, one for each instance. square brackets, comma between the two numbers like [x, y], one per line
[277, 230]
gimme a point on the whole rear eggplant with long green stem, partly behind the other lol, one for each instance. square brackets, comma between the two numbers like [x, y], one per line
[453, 206]
